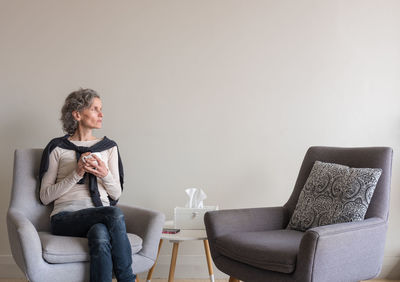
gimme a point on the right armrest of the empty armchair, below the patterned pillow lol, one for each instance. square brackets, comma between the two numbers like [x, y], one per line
[340, 252]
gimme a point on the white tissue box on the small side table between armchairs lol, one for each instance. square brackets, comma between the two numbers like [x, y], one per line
[191, 218]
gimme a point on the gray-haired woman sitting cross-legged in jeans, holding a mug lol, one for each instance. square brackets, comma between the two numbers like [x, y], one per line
[83, 176]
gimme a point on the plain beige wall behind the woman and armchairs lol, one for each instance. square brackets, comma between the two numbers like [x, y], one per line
[221, 95]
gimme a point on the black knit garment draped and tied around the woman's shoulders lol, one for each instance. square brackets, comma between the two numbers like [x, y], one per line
[64, 143]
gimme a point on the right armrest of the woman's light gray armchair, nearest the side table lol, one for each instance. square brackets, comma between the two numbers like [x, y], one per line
[147, 224]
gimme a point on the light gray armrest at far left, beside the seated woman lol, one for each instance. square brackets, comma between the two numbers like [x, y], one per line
[24, 240]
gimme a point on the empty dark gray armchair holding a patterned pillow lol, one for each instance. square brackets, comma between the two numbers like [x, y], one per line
[254, 244]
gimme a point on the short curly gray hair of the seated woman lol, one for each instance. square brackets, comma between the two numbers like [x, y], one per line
[76, 101]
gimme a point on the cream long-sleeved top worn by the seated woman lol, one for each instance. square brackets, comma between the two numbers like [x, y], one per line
[60, 182]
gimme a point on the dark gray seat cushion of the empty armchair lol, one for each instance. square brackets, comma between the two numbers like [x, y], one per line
[274, 250]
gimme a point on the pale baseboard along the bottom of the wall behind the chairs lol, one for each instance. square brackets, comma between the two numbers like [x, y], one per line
[192, 266]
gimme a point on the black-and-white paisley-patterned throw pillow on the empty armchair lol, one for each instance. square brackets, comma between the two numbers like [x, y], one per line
[334, 193]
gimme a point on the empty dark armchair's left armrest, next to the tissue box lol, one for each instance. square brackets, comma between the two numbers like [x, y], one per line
[223, 222]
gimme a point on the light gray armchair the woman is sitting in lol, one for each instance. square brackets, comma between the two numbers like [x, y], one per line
[43, 257]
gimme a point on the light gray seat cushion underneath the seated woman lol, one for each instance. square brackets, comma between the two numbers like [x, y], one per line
[64, 249]
